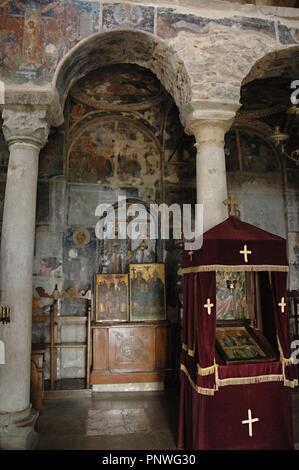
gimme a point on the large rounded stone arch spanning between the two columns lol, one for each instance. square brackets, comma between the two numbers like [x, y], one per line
[124, 46]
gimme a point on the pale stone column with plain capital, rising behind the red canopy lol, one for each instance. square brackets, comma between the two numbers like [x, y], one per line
[209, 127]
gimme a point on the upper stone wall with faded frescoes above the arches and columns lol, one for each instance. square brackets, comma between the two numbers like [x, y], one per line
[193, 37]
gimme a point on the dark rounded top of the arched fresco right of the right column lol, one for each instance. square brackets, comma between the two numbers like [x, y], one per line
[247, 152]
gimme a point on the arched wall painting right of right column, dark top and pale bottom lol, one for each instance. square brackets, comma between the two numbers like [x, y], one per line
[255, 179]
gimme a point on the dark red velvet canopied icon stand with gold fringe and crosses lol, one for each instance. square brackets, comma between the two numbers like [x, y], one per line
[232, 246]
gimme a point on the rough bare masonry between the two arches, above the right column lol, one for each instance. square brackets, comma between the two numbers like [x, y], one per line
[212, 78]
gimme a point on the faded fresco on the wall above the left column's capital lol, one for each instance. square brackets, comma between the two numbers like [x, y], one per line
[34, 35]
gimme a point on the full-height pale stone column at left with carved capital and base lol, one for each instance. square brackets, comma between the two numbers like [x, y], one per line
[26, 133]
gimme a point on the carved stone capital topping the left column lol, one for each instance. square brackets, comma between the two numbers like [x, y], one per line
[25, 126]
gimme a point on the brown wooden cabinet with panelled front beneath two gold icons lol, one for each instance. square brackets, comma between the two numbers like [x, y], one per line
[129, 352]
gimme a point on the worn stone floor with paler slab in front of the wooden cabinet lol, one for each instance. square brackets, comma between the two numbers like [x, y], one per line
[144, 421]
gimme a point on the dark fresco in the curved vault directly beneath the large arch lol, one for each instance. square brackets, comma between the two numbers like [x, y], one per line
[119, 86]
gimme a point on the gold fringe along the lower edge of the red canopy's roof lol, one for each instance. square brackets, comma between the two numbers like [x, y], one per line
[235, 268]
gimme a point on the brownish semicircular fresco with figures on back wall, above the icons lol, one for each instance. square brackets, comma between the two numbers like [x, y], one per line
[116, 153]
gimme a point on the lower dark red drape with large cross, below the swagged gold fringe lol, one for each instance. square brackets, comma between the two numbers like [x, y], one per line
[215, 422]
